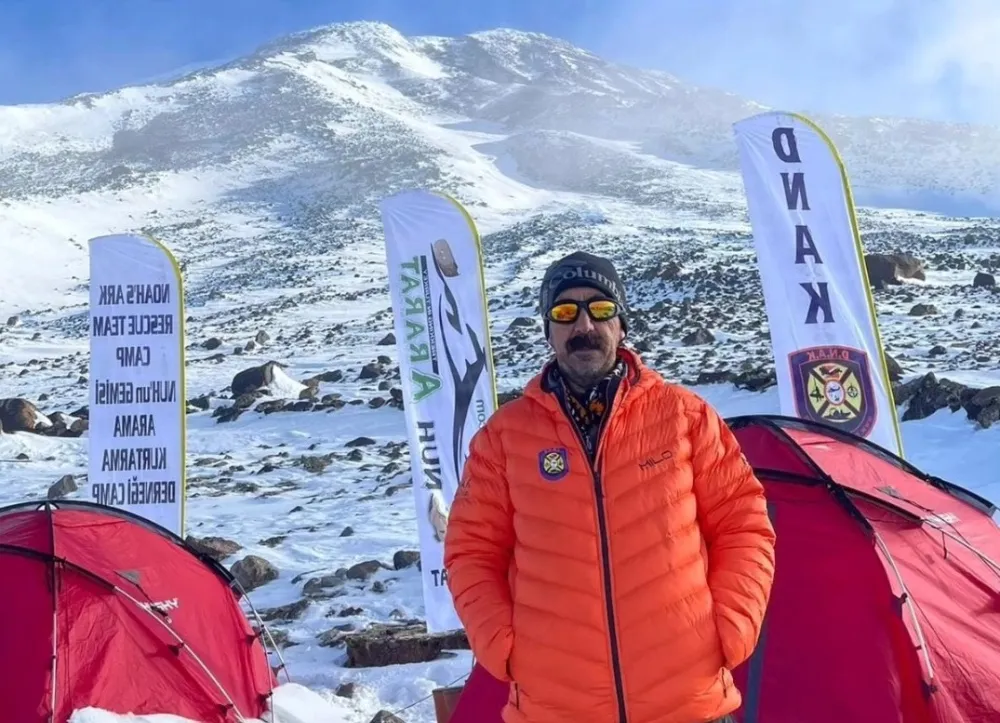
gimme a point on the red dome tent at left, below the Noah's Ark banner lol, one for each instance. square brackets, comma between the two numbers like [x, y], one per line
[103, 608]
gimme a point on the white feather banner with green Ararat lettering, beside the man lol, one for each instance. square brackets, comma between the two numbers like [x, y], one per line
[435, 266]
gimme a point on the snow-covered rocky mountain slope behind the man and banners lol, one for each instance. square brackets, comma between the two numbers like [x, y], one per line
[263, 176]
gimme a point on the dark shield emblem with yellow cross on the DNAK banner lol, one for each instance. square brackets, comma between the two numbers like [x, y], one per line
[833, 384]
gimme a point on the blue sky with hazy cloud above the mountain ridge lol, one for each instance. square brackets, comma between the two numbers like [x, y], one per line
[926, 58]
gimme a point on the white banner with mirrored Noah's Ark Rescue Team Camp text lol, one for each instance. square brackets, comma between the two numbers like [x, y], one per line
[137, 401]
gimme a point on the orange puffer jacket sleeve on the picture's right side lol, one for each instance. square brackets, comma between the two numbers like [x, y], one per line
[732, 510]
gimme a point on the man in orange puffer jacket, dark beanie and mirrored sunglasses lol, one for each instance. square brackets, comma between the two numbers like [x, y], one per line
[608, 550]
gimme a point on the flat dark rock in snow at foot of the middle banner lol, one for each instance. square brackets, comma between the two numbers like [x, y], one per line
[383, 644]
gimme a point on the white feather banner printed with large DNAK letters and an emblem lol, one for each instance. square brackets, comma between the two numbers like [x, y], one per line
[828, 352]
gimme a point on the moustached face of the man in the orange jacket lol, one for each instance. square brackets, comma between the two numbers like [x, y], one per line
[586, 349]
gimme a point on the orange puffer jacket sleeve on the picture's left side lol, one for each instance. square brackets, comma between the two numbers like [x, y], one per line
[478, 549]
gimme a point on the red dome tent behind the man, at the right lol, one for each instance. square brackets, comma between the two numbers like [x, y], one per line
[886, 600]
